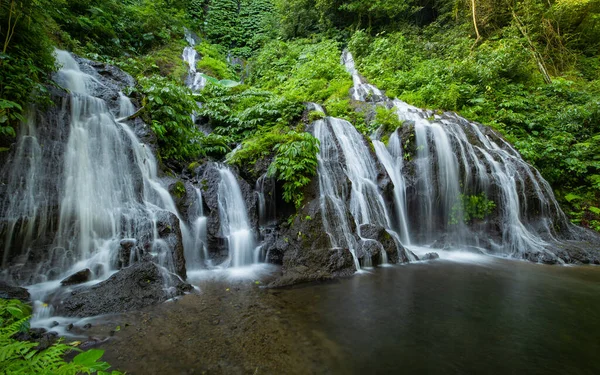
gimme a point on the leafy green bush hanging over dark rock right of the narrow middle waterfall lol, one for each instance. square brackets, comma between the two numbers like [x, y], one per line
[294, 162]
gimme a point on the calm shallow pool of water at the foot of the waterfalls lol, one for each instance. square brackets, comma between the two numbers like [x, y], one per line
[462, 314]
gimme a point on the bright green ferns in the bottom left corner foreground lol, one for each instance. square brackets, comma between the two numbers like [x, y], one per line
[23, 357]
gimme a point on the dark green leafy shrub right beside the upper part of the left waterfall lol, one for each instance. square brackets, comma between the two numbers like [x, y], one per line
[168, 108]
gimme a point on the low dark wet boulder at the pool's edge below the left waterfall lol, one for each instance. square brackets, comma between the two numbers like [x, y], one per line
[133, 288]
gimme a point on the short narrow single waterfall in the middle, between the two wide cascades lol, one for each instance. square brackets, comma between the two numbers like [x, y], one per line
[235, 225]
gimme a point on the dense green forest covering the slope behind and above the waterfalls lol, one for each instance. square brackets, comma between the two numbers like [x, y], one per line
[530, 69]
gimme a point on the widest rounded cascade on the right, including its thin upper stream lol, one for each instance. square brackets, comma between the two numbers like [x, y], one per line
[453, 159]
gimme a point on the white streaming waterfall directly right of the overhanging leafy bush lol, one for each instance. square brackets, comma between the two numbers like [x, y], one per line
[346, 169]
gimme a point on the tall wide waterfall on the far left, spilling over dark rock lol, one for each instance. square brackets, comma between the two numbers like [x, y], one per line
[101, 187]
